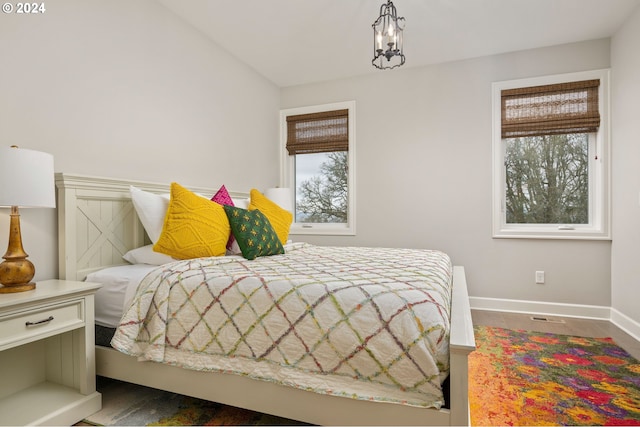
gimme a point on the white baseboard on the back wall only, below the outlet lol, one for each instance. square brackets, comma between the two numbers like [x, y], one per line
[540, 307]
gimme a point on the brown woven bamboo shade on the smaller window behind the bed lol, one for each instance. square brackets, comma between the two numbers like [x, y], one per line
[322, 132]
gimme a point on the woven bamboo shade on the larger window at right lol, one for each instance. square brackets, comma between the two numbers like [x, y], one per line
[551, 109]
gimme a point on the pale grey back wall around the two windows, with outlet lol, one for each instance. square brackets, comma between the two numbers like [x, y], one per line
[424, 172]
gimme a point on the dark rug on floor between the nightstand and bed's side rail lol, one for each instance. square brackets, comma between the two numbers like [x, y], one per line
[125, 404]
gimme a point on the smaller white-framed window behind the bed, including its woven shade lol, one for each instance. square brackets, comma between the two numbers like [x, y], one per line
[318, 165]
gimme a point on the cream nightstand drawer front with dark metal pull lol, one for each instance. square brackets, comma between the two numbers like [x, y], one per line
[25, 326]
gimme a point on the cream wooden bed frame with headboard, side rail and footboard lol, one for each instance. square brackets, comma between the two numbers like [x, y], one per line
[97, 224]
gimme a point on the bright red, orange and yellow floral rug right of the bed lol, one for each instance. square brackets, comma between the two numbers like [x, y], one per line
[531, 378]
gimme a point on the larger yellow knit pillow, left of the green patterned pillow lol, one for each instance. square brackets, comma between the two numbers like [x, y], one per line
[193, 227]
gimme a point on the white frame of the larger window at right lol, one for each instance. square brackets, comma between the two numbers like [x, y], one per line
[599, 226]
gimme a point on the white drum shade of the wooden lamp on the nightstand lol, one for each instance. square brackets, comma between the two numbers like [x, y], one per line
[26, 178]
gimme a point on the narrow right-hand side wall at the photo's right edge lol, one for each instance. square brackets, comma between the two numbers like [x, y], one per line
[625, 264]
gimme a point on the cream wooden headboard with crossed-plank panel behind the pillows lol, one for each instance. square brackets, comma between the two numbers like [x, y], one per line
[97, 223]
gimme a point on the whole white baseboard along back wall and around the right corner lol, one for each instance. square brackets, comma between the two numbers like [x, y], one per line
[622, 321]
